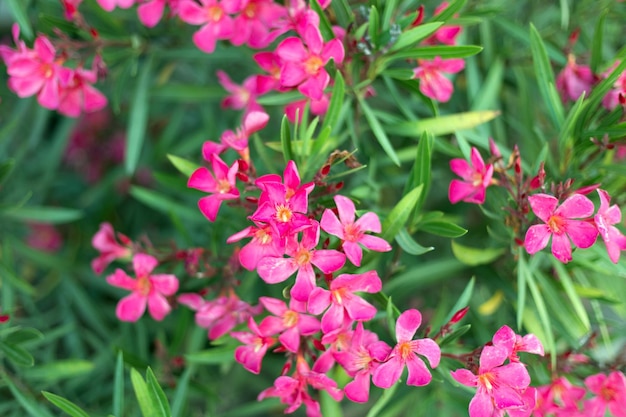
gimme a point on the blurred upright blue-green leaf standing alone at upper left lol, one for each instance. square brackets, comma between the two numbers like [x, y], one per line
[138, 118]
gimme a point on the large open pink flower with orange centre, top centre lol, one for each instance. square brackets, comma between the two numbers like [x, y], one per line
[303, 66]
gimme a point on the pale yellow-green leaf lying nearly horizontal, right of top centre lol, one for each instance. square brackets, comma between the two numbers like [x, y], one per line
[442, 125]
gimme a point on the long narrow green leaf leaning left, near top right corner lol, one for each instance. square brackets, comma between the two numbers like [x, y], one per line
[545, 77]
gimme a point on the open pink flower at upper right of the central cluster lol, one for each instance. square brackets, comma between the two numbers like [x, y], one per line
[352, 233]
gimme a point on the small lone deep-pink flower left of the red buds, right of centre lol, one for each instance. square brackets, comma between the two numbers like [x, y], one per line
[476, 178]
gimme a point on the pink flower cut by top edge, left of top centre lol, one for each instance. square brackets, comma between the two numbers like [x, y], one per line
[214, 17]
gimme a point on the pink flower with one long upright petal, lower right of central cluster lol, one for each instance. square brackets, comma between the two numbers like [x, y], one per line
[405, 354]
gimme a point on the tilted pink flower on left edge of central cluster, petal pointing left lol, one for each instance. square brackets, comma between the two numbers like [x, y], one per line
[265, 242]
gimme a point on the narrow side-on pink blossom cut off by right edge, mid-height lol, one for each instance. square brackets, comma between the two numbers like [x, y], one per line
[604, 220]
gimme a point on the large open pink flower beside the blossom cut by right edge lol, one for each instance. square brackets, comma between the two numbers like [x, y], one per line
[560, 224]
